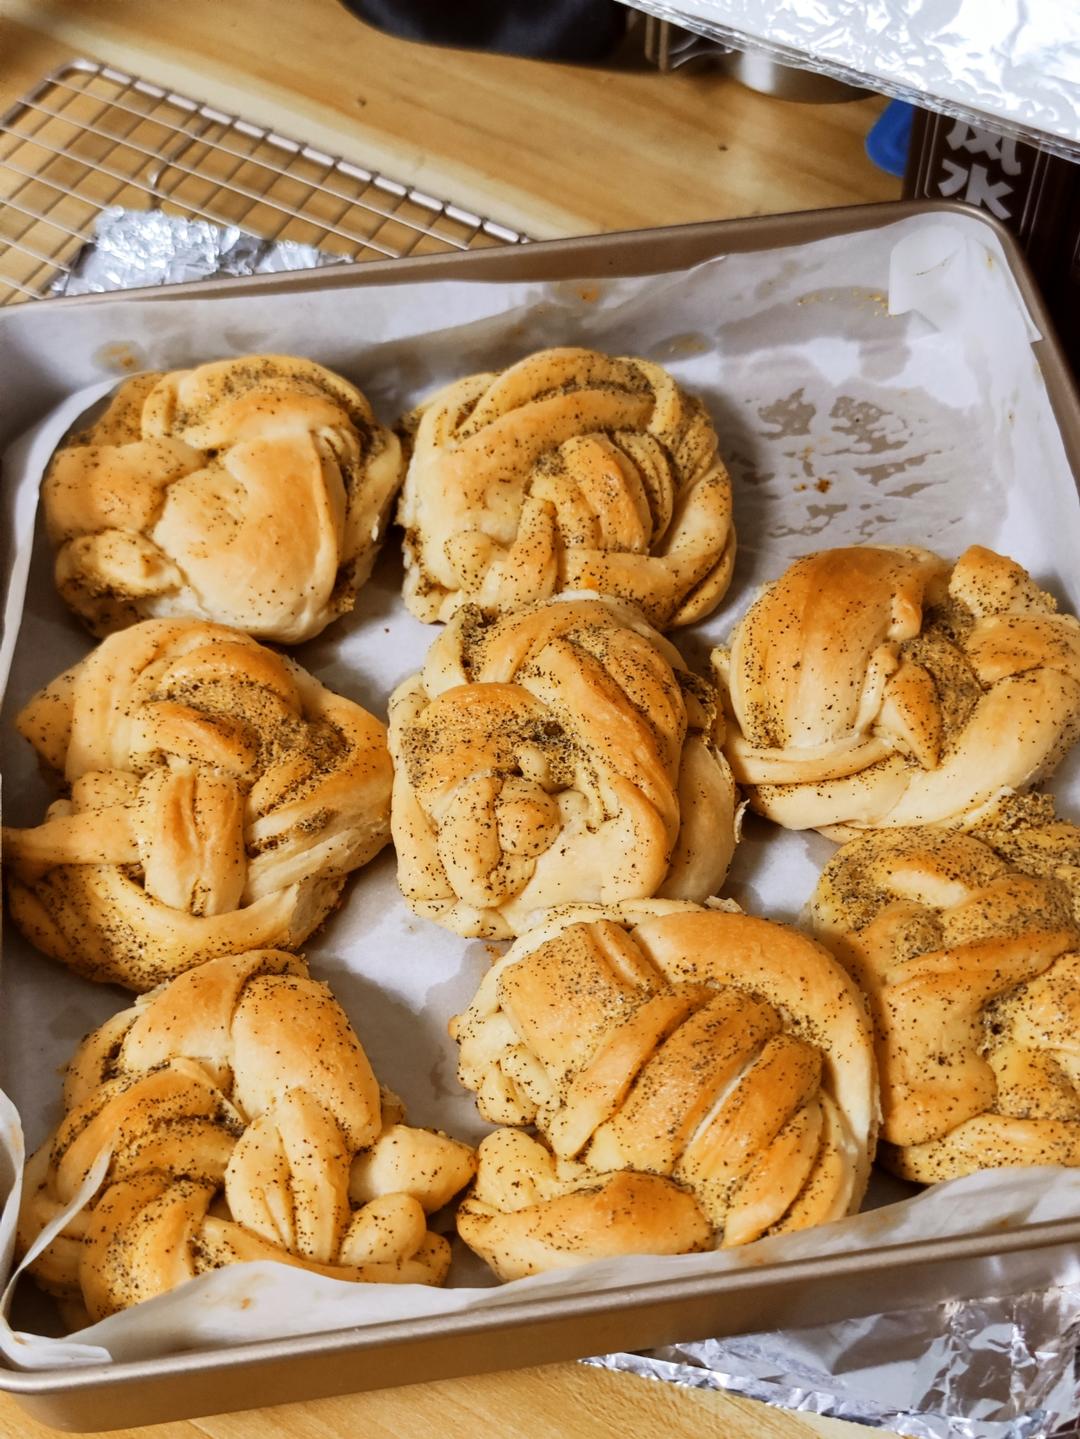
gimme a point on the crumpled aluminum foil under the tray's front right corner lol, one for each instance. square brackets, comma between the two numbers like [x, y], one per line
[981, 1369]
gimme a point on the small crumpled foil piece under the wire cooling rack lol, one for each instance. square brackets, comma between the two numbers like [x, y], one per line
[134, 248]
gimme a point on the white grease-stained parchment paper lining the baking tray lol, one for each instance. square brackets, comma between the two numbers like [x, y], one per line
[875, 388]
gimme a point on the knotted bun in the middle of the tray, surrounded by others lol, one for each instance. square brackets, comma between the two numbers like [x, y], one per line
[559, 755]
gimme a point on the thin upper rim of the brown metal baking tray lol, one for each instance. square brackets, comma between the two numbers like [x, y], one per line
[649, 251]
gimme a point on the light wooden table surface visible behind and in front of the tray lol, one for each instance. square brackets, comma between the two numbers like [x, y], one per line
[550, 150]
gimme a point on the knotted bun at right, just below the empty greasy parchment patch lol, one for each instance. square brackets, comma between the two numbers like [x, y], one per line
[887, 687]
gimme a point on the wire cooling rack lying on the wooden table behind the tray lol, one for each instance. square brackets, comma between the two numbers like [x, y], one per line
[88, 137]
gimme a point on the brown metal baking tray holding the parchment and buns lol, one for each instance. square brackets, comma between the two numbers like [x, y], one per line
[531, 1332]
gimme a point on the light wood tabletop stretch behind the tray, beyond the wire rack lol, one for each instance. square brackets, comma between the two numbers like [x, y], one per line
[547, 149]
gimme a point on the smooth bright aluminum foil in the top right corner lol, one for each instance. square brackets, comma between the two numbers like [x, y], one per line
[1013, 65]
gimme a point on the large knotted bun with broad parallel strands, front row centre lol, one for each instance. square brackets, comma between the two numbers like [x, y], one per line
[701, 1079]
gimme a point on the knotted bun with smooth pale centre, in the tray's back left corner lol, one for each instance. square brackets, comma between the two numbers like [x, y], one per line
[248, 491]
